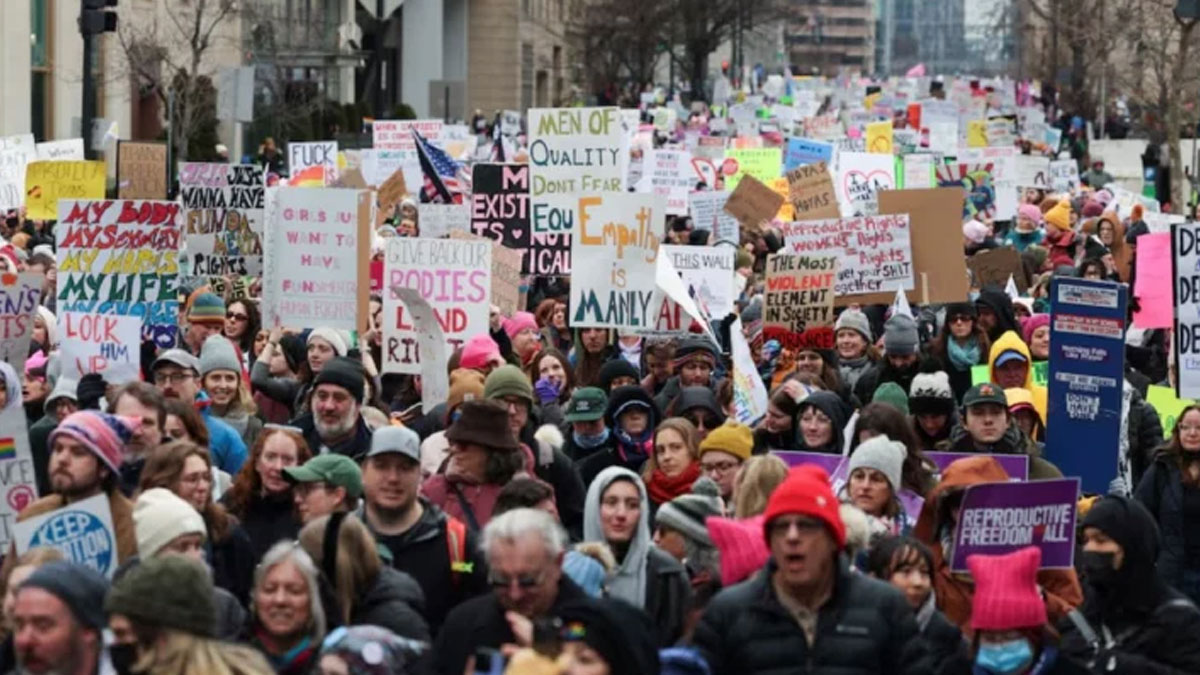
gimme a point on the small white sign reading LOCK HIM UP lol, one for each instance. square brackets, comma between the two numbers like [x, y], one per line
[104, 344]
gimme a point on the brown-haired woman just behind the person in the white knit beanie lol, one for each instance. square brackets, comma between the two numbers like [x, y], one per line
[187, 470]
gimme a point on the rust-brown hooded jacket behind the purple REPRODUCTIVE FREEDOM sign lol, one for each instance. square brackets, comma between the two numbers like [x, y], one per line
[957, 592]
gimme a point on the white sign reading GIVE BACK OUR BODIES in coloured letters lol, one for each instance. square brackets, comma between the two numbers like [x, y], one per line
[454, 277]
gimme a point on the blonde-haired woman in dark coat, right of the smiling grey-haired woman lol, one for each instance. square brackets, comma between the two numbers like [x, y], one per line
[368, 592]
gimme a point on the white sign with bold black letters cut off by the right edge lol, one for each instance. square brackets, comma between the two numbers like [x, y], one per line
[1186, 254]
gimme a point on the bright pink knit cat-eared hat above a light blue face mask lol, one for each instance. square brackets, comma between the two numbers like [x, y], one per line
[1007, 595]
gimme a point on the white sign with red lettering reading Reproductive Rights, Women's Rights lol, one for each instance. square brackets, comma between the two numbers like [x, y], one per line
[874, 253]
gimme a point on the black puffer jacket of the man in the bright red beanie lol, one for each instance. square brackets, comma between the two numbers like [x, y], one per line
[867, 628]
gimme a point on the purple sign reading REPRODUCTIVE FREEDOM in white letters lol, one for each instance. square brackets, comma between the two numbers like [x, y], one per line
[1001, 518]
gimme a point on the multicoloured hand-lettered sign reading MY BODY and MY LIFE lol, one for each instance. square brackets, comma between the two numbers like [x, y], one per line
[122, 258]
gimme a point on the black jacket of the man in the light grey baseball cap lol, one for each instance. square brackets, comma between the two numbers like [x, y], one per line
[424, 554]
